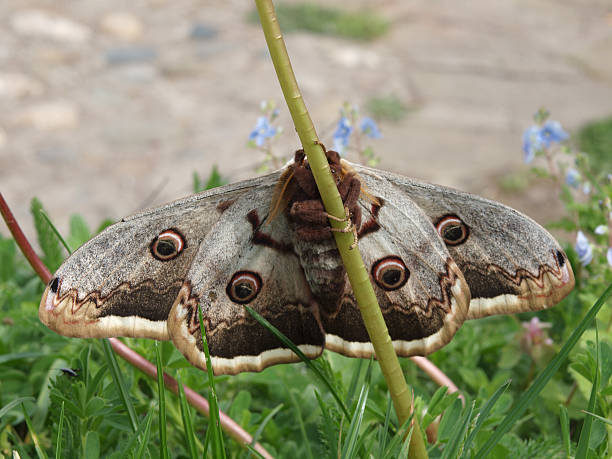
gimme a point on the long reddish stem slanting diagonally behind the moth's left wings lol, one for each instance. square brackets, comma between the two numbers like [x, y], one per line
[196, 400]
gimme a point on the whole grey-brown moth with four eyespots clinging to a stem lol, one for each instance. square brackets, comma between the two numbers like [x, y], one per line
[436, 257]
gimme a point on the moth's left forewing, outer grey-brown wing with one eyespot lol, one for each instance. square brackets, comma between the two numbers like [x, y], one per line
[114, 286]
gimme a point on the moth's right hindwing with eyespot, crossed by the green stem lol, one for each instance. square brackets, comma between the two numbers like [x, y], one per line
[422, 311]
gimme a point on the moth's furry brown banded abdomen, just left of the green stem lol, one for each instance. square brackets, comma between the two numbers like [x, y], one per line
[323, 269]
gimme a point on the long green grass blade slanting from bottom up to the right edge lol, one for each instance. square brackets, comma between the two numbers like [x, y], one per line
[544, 377]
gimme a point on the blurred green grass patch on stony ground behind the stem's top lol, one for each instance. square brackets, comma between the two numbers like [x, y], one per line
[363, 25]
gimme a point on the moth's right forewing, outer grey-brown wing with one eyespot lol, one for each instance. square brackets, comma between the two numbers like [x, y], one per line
[510, 262]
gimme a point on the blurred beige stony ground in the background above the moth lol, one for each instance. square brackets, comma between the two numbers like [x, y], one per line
[108, 105]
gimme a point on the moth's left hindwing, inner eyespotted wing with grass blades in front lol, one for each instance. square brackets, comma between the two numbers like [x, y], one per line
[245, 254]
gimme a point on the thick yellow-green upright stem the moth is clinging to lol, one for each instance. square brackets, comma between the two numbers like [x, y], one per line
[357, 274]
